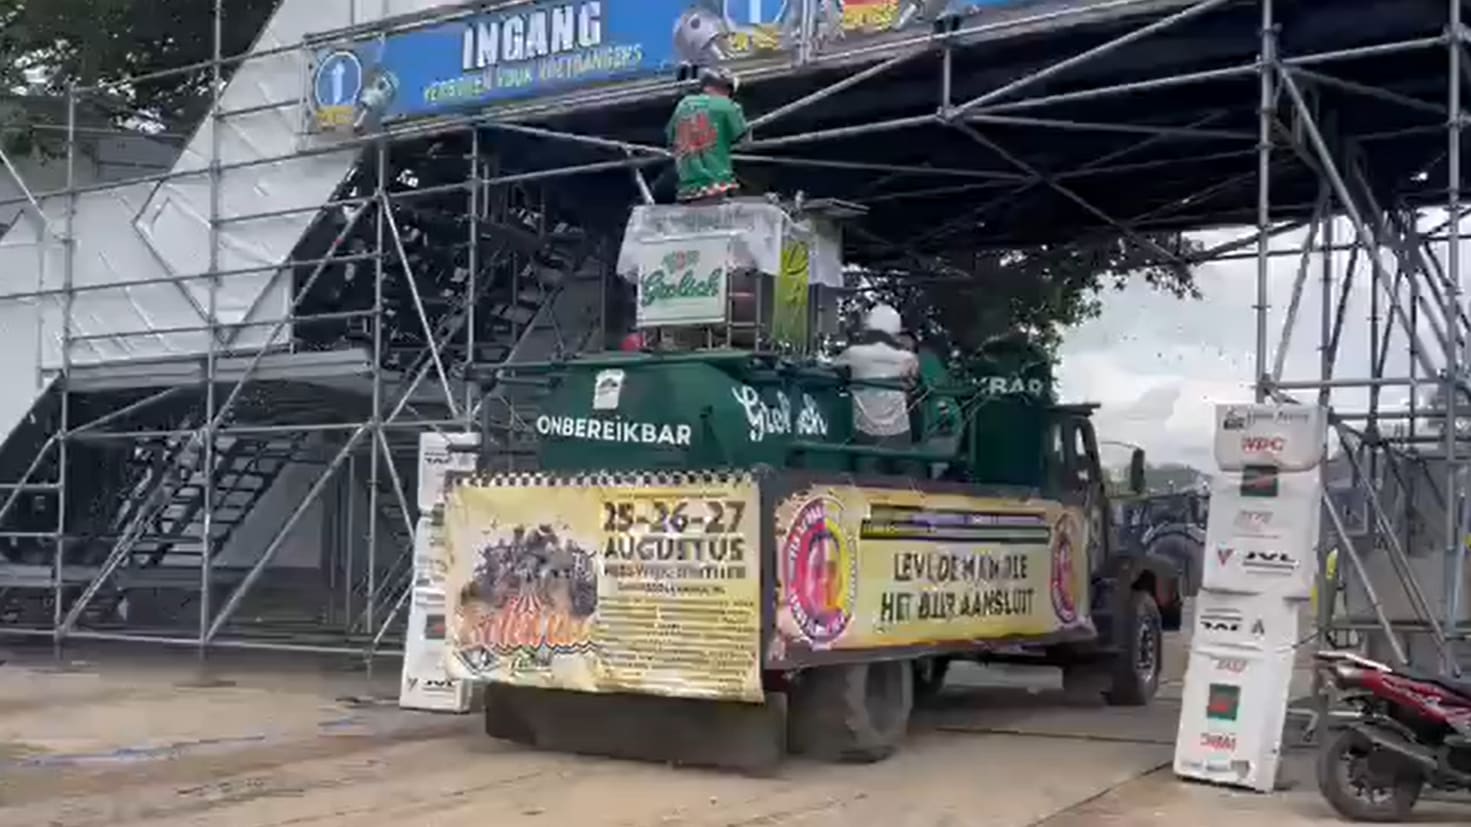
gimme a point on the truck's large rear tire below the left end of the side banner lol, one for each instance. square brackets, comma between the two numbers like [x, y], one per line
[852, 713]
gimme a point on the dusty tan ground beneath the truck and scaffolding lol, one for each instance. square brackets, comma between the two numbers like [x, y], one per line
[133, 738]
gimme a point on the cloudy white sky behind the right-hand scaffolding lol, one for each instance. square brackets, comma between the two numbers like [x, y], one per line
[1160, 364]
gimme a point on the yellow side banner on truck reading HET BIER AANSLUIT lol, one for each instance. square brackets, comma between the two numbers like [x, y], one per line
[869, 569]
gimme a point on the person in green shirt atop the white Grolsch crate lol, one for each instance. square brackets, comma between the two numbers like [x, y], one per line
[702, 132]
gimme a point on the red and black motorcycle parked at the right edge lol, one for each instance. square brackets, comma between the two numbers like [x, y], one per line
[1410, 732]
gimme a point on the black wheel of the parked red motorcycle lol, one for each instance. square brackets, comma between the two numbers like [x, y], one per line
[1366, 785]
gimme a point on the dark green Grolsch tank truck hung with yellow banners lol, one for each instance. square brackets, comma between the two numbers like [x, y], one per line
[707, 561]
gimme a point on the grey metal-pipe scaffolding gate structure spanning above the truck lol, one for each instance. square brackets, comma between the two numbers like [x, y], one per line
[489, 238]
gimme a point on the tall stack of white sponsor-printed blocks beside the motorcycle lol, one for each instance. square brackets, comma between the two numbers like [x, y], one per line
[1260, 564]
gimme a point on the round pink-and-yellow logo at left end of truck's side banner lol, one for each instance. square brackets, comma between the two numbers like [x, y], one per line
[822, 572]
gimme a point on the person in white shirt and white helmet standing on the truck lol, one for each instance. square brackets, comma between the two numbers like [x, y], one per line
[880, 414]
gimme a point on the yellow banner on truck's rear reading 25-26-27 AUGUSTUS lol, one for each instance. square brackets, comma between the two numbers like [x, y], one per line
[621, 583]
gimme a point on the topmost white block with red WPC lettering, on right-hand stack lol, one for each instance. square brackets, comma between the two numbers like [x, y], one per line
[1289, 438]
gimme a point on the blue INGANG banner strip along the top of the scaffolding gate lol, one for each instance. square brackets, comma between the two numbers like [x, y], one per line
[560, 46]
